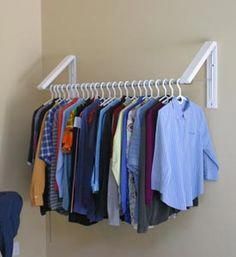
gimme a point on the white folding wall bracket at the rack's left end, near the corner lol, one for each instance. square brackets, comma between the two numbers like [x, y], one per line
[68, 62]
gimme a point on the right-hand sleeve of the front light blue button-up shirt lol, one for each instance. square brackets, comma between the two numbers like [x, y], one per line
[210, 163]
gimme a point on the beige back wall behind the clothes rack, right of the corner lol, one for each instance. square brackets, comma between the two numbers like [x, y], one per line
[120, 40]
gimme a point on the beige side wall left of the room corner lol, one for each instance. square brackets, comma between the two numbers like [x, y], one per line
[20, 54]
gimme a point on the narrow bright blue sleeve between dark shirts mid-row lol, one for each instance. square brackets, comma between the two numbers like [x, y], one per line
[95, 175]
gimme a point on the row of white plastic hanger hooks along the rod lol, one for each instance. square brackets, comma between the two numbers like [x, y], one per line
[69, 91]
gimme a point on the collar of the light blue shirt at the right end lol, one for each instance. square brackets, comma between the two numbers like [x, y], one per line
[182, 110]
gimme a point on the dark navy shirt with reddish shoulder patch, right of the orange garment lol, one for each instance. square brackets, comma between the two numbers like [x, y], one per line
[83, 197]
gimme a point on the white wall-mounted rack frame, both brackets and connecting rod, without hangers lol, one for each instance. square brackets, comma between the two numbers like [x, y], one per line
[207, 54]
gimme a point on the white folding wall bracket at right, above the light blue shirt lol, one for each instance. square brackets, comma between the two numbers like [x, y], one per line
[207, 53]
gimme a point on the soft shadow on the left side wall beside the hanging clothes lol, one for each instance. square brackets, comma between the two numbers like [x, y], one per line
[22, 99]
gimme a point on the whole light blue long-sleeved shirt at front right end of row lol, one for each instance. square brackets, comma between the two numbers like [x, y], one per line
[184, 156]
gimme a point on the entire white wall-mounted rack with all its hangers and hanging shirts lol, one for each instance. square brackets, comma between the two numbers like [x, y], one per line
[133, 156]
